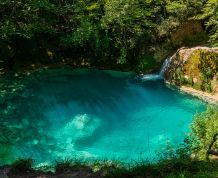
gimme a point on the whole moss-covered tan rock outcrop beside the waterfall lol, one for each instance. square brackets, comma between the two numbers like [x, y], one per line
[196, 67]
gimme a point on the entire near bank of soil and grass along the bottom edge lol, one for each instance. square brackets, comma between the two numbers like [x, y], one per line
[174, 167]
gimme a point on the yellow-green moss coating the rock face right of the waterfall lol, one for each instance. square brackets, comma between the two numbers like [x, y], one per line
[198, 71]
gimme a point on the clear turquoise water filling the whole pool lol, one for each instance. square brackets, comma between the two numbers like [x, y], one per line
[90, 114]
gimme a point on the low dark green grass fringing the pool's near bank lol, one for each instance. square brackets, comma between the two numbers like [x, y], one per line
[176, 166]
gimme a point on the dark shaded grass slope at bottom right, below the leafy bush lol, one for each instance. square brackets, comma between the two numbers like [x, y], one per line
[169, 169]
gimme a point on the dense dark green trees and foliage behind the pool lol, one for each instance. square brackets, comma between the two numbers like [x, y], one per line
[131, 34]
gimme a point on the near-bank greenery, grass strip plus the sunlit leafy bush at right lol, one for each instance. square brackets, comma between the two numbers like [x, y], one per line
[185, 162]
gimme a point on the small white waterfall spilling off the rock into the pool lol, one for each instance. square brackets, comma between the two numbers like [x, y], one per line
[158, 76]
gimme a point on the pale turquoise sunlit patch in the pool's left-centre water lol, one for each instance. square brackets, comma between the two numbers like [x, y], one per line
[79, 127]
